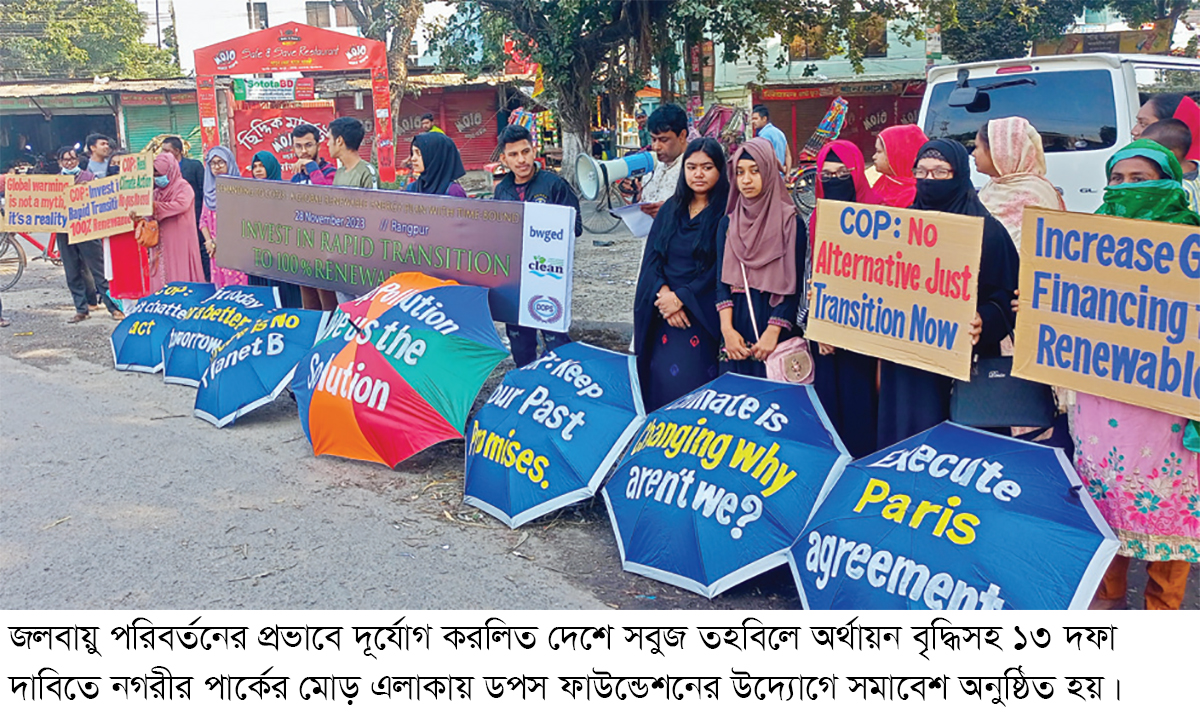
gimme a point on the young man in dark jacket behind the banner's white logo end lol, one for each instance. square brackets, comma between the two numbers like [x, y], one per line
[525, 183]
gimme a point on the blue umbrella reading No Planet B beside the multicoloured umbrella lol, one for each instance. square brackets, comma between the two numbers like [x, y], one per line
[257, 364]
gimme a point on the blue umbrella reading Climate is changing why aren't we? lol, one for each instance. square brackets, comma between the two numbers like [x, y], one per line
[719, 484]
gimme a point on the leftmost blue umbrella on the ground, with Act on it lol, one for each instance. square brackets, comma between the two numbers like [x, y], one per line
[139, 340]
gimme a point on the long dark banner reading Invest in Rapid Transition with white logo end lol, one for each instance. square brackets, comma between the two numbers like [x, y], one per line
[352, 241]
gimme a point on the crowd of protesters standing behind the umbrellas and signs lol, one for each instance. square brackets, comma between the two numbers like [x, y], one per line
[725, 268]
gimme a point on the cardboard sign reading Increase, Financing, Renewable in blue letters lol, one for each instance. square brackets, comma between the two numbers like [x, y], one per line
[1112, 308]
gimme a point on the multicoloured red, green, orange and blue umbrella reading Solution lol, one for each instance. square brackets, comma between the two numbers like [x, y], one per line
[399, 370]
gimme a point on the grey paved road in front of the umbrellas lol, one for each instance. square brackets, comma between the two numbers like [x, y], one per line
[112, 496]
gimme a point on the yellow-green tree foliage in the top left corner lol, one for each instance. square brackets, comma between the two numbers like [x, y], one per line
[69, 39]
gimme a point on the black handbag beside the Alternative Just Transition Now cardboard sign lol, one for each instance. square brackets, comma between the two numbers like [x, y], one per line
[995, 399]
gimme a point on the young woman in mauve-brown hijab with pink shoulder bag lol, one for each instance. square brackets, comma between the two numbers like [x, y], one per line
[761, 250]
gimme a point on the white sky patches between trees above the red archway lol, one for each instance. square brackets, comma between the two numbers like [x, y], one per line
[207, 22]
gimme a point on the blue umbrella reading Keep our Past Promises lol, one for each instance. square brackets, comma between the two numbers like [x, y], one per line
[551, 432]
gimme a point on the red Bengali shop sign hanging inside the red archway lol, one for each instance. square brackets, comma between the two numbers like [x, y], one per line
[261, 129]
